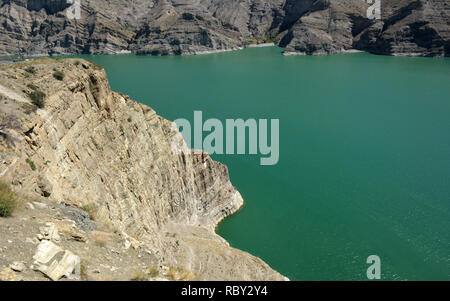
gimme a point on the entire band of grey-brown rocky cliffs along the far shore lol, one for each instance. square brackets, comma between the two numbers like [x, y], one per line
[164, 27]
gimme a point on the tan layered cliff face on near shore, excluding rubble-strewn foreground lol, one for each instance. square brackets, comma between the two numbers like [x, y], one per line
[91, 146]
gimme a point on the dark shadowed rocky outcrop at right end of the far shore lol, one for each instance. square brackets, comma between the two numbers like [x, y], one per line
[417, 28]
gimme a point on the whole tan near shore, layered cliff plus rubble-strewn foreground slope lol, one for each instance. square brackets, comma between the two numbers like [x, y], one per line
[68, 145]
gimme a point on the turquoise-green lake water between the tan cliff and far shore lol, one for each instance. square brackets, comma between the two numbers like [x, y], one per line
[364, 154]
